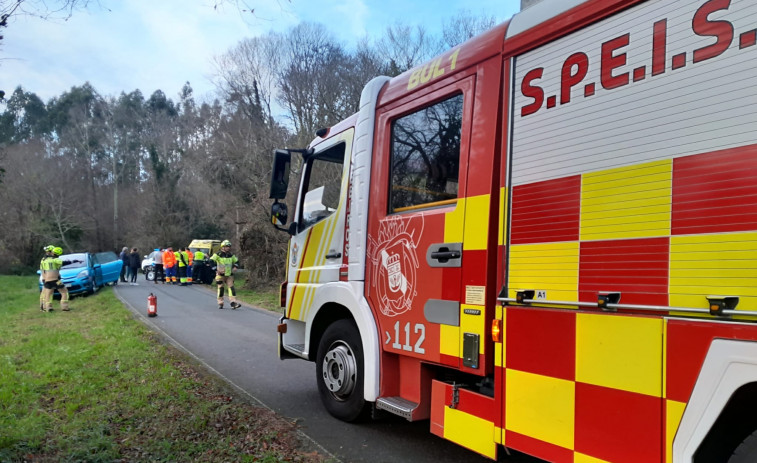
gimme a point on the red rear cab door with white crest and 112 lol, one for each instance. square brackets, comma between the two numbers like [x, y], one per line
[415, 229]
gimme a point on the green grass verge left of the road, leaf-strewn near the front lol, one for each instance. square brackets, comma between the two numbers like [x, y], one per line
[96, 385]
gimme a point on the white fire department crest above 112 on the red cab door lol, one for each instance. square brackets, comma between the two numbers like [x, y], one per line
[394, 263]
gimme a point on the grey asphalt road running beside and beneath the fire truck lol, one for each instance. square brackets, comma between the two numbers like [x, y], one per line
[240, 346]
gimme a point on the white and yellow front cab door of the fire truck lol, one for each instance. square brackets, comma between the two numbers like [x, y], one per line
[316, 250]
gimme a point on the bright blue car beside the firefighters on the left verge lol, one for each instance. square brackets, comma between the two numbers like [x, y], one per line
[90, 273]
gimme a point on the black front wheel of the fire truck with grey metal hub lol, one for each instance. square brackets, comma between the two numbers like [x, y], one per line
[339, 366]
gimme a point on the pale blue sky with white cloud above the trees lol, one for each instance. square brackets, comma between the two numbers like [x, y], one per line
[161, 44]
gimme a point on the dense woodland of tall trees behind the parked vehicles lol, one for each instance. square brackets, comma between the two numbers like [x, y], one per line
[97, 172]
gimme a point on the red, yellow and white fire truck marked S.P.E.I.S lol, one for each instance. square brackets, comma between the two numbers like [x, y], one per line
[544, 239]
